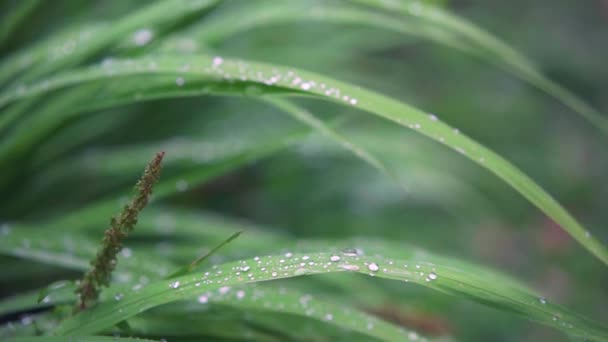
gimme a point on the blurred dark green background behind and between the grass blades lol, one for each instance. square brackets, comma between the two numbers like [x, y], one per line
[315, 189]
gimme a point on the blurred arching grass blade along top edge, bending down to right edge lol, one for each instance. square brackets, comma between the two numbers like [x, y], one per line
[424, 20]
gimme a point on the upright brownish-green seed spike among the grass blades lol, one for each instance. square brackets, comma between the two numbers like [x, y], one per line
[120, 226]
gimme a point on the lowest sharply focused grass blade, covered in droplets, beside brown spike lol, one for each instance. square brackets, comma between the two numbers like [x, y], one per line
[435, 276]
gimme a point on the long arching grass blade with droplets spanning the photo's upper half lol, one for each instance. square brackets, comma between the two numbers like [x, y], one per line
[216, 75]
